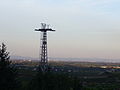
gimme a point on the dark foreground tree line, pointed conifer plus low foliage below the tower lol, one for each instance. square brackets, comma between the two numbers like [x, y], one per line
[41, 81]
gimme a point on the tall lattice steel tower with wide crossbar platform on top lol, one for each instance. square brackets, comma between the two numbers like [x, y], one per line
[43, 47]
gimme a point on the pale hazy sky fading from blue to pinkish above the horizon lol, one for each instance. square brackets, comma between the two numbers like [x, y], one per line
[84, 28]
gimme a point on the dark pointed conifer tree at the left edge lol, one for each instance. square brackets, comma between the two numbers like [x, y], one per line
[7, 71]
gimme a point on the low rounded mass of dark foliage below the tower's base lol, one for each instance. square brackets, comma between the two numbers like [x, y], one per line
[54, 81]
